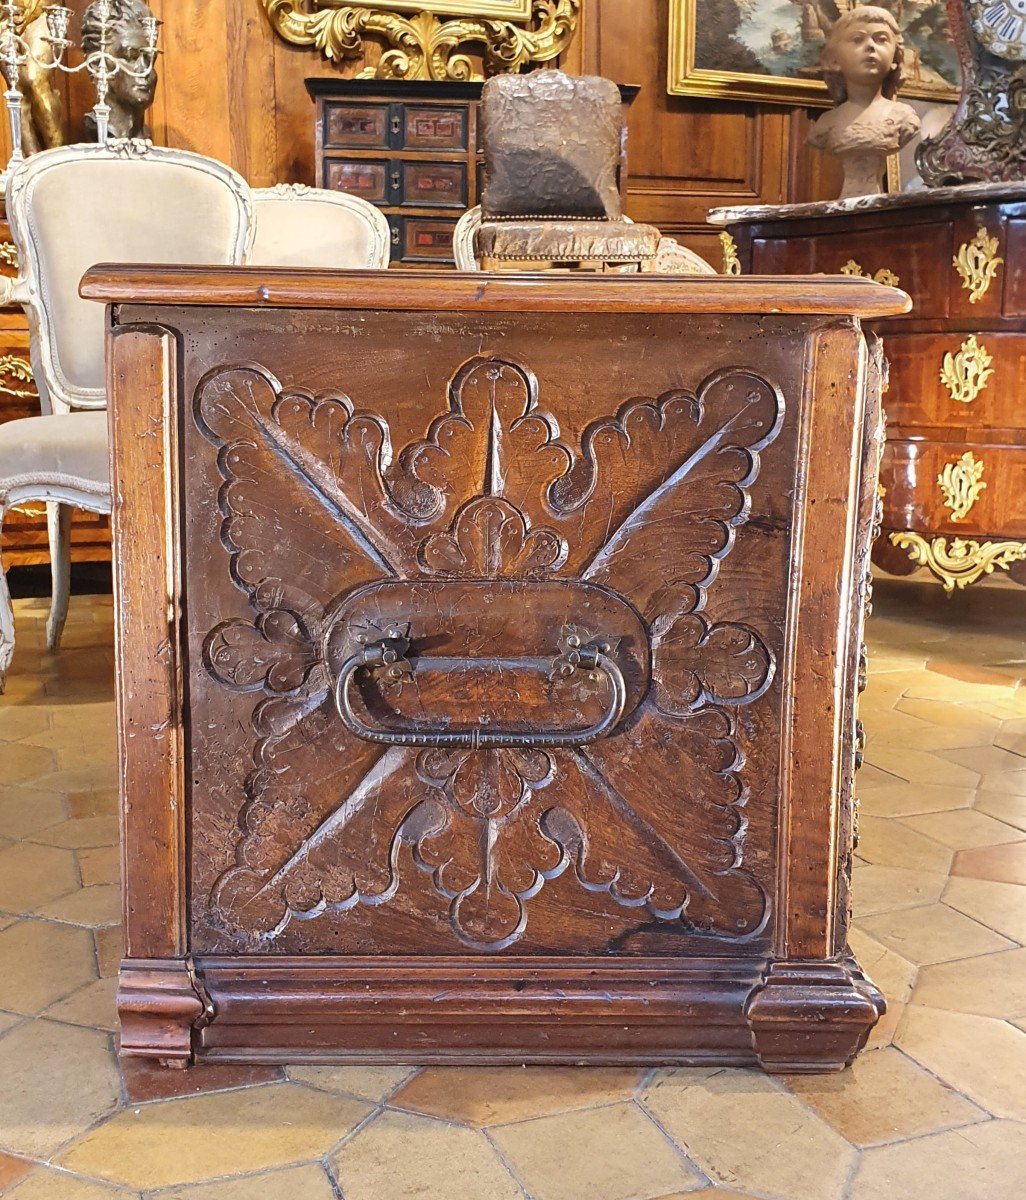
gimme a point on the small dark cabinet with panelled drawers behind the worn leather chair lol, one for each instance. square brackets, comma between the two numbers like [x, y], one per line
[412, 148]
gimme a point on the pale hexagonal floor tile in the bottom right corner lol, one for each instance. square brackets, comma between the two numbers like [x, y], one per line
[983, 1162]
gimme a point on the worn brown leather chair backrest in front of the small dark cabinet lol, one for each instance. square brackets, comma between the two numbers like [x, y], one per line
[553, 146]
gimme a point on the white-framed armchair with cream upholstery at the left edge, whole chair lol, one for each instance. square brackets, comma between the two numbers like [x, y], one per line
[71, 208]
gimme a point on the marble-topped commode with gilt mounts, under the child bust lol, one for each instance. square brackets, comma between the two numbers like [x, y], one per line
[955, 469]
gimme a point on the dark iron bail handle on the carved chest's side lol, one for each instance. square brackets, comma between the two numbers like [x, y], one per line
[389, 658]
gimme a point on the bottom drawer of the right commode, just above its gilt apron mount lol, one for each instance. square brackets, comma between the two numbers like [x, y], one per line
[916, 500]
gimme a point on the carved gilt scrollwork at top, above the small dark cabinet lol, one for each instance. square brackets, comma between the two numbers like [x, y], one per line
[423, 46]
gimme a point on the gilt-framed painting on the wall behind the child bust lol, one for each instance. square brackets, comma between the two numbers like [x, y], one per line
[770, 50]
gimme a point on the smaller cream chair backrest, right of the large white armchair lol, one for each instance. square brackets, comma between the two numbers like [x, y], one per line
[299, 226]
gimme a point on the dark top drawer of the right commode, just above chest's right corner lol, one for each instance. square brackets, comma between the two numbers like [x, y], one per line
[920, 260]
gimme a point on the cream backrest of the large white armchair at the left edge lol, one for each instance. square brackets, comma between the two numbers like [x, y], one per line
[128, 202]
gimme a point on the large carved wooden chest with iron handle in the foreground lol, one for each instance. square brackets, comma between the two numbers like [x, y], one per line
[489, 655]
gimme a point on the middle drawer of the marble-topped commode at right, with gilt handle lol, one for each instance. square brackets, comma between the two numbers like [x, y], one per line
[973, 382]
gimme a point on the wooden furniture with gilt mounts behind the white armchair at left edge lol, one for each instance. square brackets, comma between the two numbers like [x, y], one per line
[26, 529]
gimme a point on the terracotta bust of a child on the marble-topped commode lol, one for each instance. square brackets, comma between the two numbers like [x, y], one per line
[862, 58]
